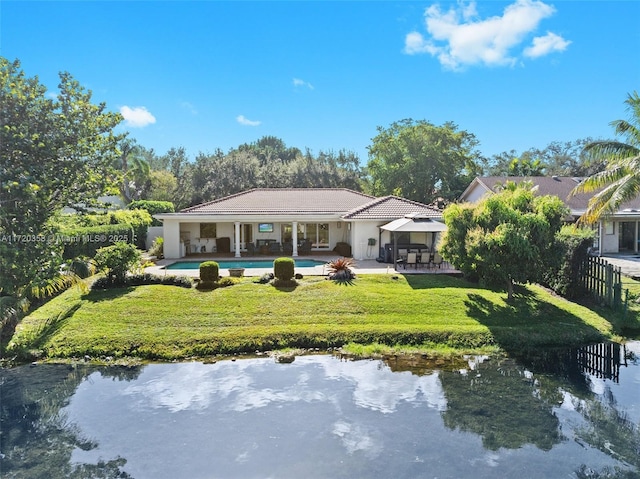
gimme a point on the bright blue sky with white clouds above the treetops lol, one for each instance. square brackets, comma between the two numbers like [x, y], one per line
[326, 74]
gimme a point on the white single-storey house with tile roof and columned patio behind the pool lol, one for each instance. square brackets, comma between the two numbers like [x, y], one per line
[322, 216]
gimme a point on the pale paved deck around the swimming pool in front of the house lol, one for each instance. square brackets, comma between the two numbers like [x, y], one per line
[365, 266]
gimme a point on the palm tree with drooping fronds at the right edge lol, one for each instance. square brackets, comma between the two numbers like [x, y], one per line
[620, 181]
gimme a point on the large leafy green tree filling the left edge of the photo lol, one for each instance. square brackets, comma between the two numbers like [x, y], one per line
[54, 153]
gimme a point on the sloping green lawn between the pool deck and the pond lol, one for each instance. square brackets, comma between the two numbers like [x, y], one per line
[428, 311]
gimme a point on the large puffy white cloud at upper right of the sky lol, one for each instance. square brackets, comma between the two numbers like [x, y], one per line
[459, 38]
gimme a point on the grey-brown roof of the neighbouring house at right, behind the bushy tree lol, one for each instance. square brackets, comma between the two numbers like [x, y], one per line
[560, 186]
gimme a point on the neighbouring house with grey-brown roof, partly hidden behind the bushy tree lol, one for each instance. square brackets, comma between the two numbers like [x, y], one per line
[617, 234]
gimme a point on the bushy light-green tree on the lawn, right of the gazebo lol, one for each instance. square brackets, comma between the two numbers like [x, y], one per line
[504, 239]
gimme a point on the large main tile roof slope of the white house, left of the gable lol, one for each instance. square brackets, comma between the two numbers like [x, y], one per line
[284, 201]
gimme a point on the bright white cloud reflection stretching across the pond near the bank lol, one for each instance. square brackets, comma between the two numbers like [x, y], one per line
[194, 386]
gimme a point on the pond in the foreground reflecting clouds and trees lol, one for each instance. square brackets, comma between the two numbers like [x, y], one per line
[555, 414]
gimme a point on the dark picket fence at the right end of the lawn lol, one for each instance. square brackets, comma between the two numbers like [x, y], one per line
[603, 281]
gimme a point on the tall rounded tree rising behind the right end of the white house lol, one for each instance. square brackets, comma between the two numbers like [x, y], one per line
[422, 161]
